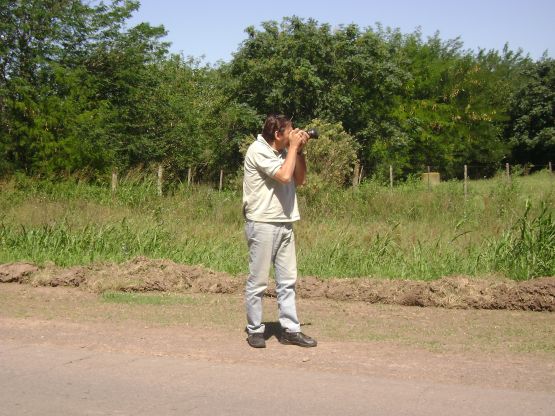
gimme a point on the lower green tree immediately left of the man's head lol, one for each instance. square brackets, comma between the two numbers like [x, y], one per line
[200, 124]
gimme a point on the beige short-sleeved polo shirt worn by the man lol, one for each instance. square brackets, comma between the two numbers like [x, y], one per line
[265, 199]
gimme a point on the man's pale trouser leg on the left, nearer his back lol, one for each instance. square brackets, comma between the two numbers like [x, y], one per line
[260, 239]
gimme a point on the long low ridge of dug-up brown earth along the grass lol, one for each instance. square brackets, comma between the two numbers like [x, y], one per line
[143, 274]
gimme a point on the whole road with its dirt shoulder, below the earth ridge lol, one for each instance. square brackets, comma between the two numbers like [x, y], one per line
[67, 352]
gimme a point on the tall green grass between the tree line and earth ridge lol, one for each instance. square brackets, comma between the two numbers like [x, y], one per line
[502, 228]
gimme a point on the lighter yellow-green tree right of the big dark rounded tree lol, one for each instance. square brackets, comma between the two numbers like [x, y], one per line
[451, 111]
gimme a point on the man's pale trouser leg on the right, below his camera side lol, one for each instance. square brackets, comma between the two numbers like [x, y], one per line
[285, 262]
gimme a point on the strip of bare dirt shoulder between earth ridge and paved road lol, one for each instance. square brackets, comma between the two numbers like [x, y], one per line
[501, 349]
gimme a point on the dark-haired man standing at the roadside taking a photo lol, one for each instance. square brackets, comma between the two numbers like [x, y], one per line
[274, 166]
